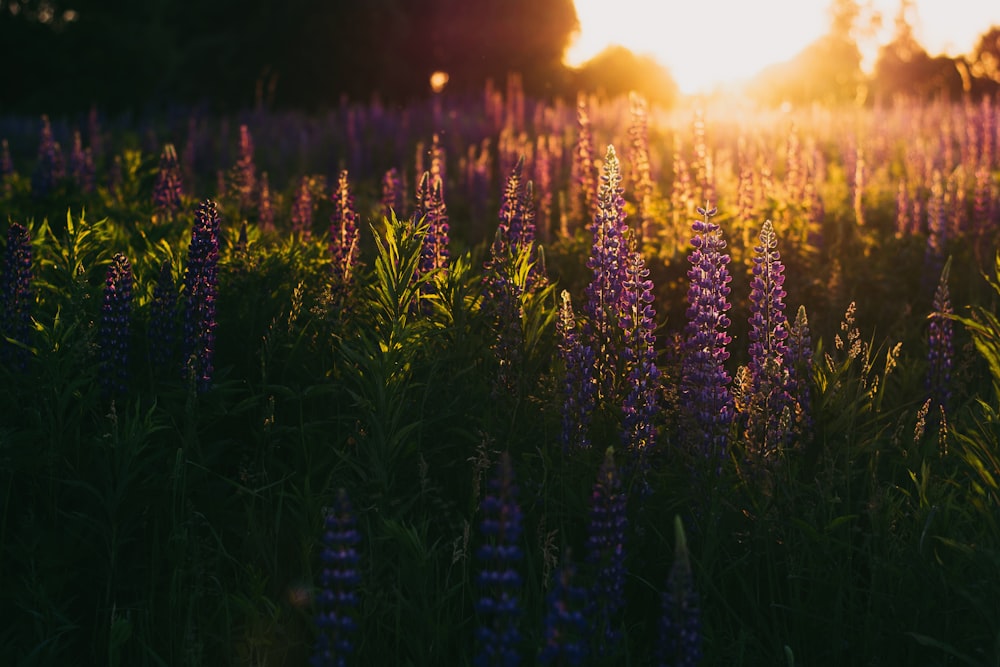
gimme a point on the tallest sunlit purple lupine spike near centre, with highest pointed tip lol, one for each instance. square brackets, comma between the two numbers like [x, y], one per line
[608, 256]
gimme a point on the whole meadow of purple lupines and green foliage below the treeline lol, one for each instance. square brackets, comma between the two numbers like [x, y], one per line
[494, 381]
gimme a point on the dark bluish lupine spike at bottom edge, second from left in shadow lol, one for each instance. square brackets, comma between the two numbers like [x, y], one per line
[498, 581]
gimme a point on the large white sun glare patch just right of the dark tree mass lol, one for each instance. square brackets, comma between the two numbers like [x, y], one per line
[704, 44]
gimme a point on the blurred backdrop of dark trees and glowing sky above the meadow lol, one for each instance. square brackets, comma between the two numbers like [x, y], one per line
[70, 55]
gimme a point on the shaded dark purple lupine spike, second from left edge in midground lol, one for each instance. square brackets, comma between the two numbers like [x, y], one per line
[115, 328]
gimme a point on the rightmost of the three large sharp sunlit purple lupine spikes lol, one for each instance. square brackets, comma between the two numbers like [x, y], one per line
[769, 405]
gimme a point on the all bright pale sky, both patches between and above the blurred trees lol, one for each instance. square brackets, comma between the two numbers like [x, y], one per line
[708, 42]
